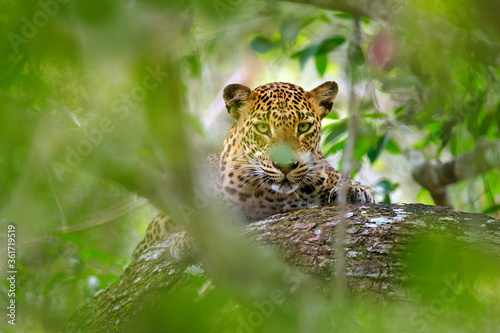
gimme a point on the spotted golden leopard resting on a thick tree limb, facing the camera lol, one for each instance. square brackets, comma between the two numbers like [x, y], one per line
[270, 161]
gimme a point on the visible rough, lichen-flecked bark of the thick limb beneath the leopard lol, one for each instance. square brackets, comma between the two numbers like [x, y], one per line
[376, 238]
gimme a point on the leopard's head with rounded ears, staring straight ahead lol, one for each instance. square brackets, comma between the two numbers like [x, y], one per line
[275, 140]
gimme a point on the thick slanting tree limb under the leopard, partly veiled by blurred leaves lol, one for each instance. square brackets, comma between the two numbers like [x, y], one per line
[157, 288]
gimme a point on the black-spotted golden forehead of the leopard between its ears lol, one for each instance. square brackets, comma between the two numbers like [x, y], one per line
[280, 96]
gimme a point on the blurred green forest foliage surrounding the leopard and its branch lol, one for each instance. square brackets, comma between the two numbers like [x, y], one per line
[101, 101]
